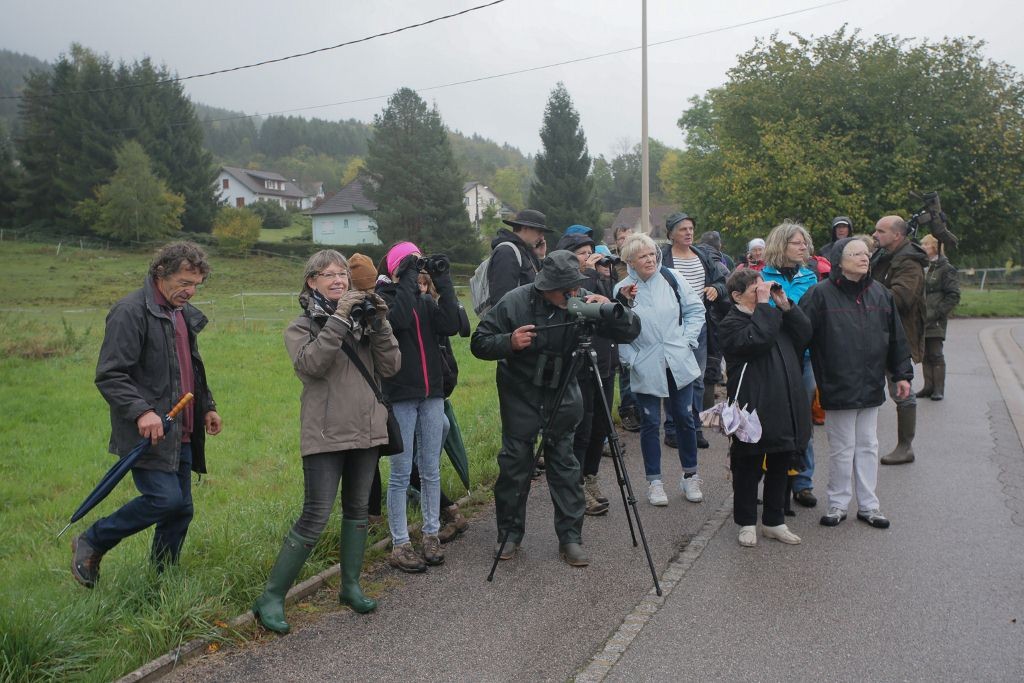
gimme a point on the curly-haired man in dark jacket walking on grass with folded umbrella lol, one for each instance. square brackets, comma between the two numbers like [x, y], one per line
[148, 361]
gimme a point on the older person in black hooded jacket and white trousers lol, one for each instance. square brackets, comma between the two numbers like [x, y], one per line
[858, 343]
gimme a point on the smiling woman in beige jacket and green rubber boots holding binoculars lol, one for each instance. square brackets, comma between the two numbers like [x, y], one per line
[343, 425]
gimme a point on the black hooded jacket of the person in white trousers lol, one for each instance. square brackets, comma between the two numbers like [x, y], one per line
[858, 339]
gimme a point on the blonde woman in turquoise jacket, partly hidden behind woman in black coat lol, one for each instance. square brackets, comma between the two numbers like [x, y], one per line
[788, 249]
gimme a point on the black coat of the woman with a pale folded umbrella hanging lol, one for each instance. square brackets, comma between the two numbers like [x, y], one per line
[772, 345]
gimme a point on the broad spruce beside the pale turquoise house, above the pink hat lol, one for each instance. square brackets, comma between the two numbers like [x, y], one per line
[415, 181]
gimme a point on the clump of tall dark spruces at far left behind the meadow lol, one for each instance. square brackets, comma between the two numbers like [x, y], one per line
[68, 138]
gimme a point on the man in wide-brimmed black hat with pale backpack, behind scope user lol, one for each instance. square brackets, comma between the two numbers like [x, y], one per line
[514, 262]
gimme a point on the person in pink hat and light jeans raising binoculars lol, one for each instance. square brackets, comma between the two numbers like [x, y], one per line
[417, 395]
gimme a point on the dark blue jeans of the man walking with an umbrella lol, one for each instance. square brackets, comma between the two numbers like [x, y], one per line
[165, 501]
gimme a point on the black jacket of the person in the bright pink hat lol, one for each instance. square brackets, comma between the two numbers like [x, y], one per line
[417, 323]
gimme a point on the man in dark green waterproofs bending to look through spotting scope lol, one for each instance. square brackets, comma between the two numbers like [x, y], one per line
[534, 356]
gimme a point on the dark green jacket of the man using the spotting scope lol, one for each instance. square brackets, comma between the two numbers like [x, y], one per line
[528, 380]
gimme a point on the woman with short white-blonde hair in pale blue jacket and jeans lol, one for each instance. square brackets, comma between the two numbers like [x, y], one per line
[662, 361]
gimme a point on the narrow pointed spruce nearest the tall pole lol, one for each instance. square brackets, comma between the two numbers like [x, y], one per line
[564, 189]
